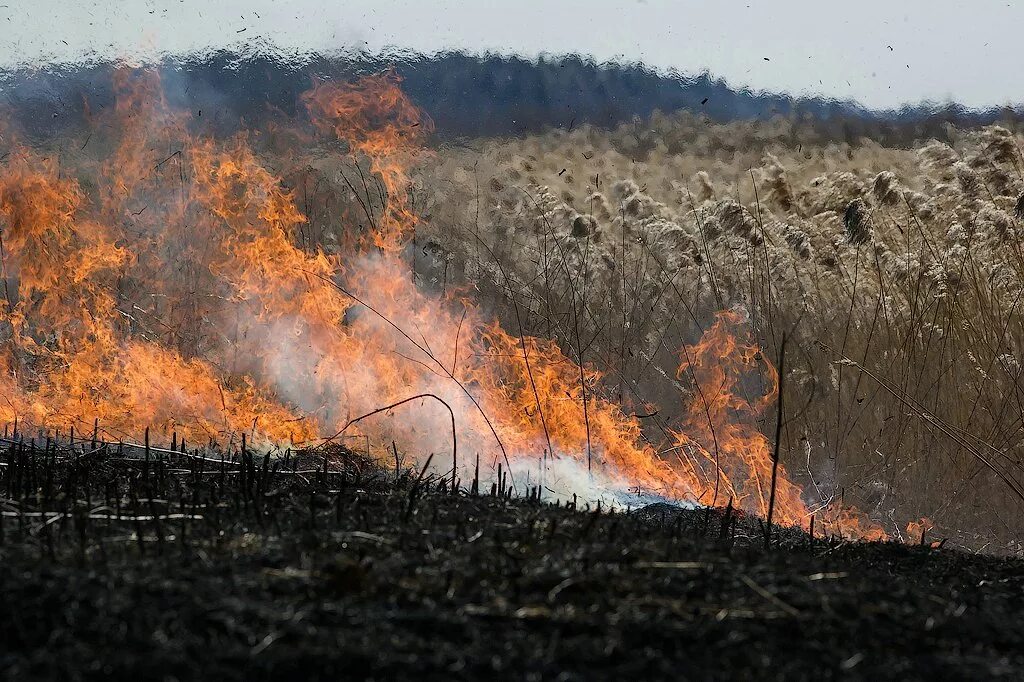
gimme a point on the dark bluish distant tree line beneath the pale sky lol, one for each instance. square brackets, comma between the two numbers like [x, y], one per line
[466, 96]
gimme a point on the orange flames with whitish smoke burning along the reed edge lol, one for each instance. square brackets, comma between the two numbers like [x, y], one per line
[166, 288]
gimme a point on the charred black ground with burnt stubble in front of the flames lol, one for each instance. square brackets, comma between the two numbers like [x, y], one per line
[115, 568]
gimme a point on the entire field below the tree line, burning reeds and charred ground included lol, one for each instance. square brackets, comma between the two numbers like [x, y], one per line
[334, 396]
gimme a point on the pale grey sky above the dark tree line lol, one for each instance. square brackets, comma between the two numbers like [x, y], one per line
[882, 54]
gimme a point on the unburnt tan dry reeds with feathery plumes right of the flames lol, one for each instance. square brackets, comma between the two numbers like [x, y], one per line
[897, 273]
